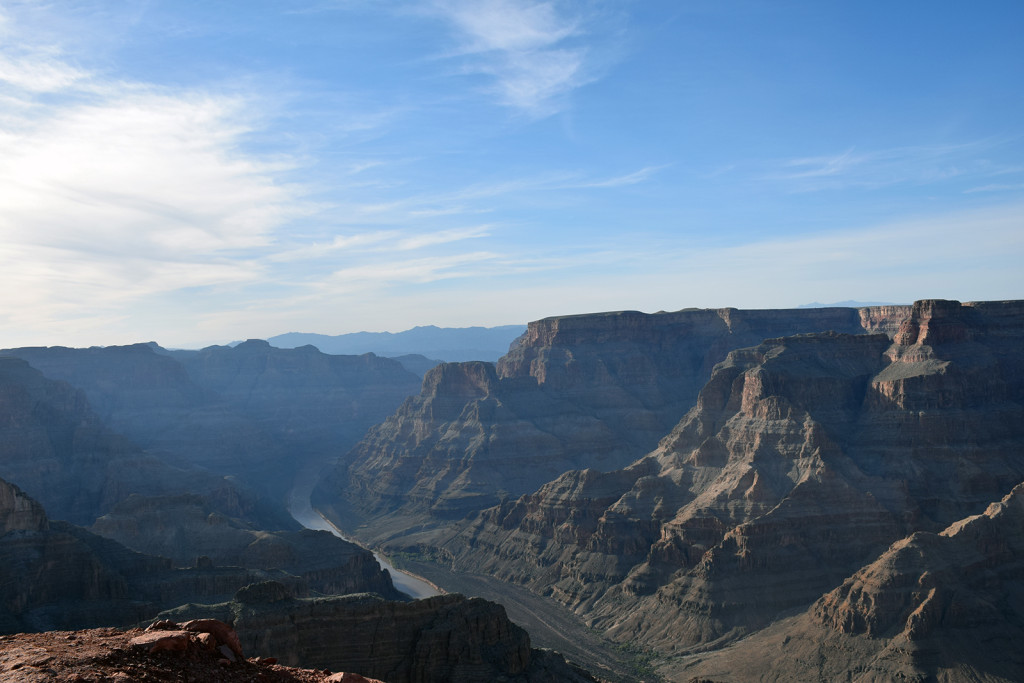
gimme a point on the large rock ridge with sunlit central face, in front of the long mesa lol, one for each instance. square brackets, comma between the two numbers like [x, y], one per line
[804, 458]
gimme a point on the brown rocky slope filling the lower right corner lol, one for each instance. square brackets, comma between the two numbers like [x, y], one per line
[944, 607]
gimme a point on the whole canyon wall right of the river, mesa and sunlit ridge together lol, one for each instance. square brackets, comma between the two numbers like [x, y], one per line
[803, 458]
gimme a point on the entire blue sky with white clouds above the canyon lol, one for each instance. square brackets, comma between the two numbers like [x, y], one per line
[197, 173]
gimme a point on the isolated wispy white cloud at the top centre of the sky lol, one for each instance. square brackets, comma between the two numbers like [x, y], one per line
[530, 50]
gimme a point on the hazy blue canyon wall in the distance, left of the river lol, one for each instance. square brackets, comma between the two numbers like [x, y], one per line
[250, 412]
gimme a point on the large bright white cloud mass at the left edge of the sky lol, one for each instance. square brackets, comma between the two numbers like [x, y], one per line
[115, 192]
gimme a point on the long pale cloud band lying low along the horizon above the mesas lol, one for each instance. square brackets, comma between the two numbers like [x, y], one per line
[963, 255]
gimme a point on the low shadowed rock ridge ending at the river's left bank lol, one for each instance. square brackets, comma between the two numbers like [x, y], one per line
[192, 529]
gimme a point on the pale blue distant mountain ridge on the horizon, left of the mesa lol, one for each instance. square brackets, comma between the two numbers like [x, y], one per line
[449, 345]
